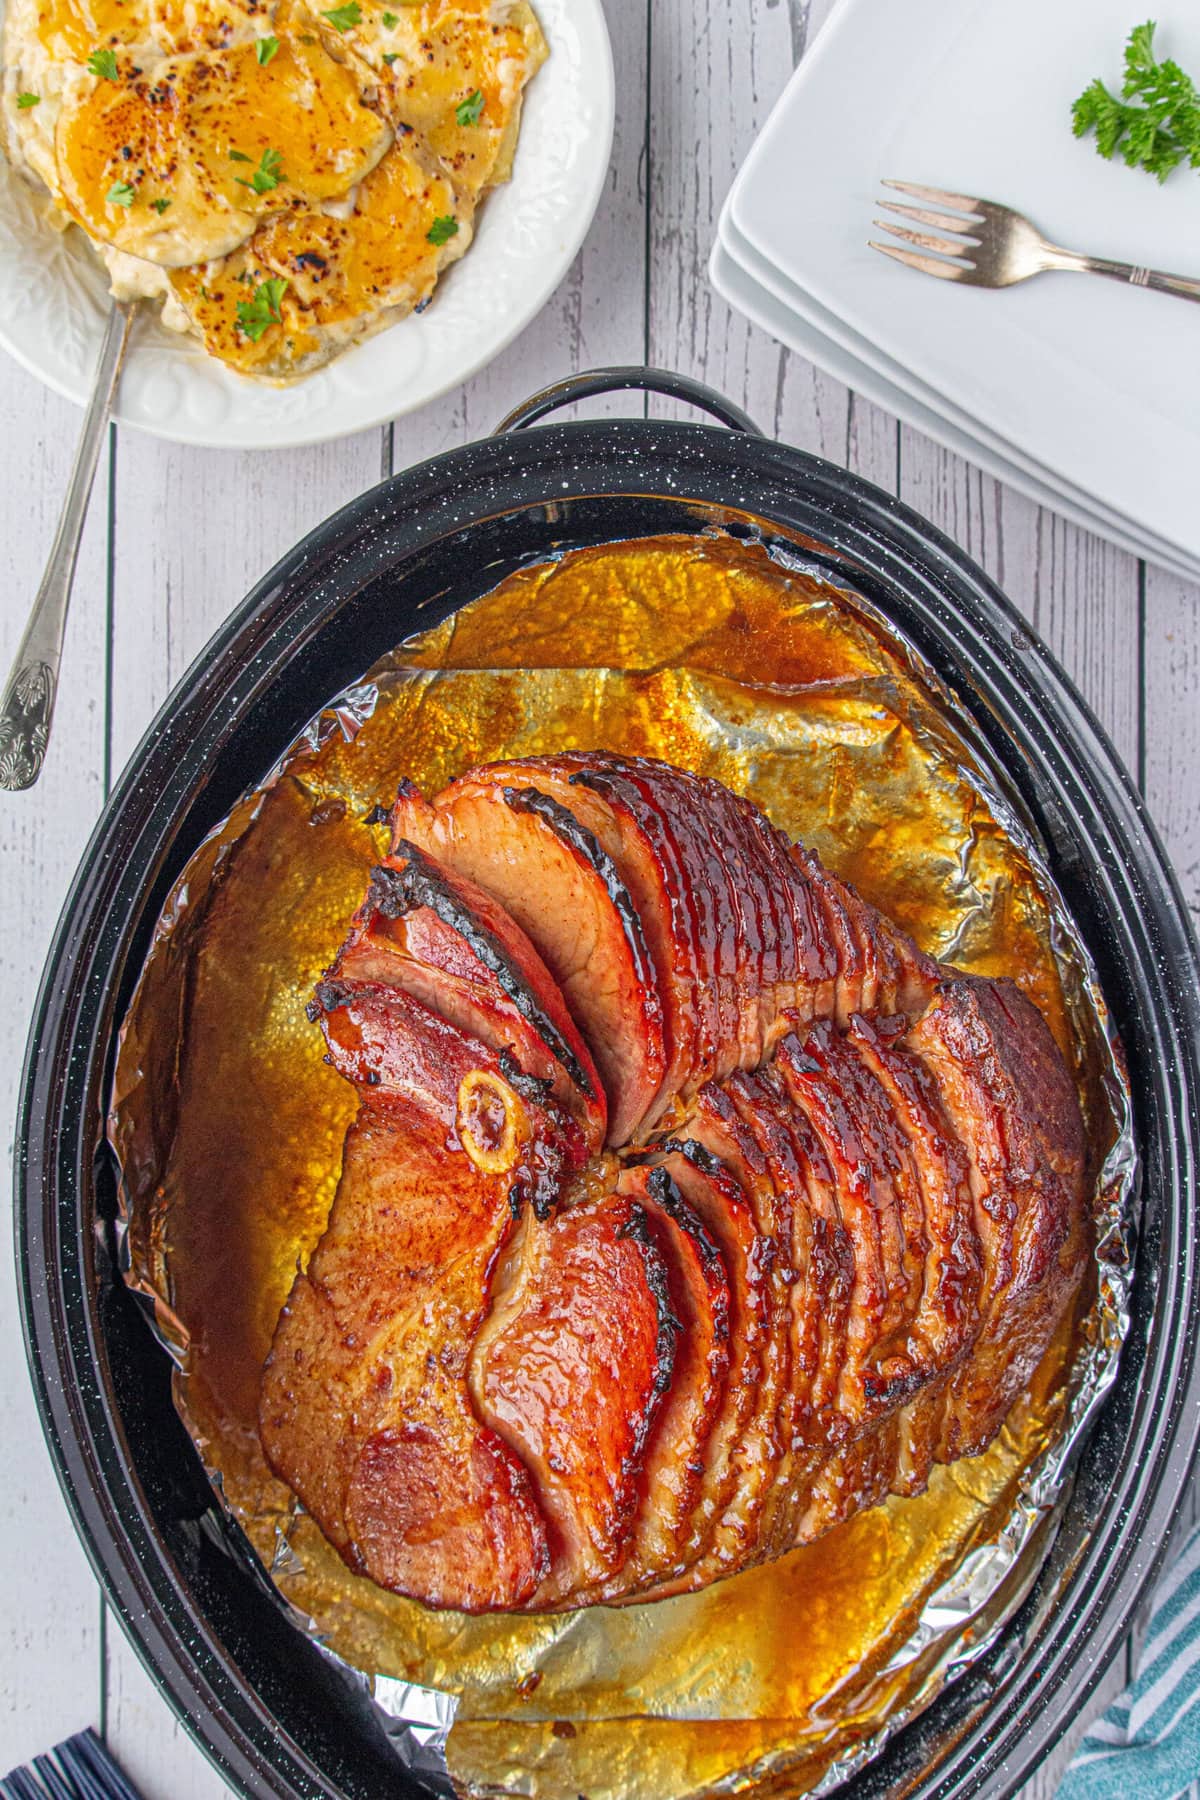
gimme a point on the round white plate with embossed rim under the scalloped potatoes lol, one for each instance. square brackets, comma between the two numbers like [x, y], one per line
[53, 289]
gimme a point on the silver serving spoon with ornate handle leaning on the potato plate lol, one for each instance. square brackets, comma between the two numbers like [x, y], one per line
[28, 703]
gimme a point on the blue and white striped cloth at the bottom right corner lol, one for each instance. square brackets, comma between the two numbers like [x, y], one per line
[1147, 1747]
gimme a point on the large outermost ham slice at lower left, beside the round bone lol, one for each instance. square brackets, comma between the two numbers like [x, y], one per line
[364, 1407]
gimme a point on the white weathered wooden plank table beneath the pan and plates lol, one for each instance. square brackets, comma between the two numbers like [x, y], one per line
[175, 537]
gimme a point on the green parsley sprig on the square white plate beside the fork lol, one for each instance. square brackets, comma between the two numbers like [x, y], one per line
[1156, 123]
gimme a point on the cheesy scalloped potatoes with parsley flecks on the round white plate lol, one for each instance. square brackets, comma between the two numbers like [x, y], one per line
[287, 181]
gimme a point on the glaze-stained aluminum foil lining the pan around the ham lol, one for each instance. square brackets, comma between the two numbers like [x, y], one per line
[744, 661]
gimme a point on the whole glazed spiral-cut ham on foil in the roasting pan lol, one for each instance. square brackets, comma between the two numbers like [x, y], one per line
[688, 1210]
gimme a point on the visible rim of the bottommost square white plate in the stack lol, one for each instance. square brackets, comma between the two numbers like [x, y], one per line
[773, 316]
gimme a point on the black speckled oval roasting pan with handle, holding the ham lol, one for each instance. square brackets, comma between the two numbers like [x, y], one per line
[258, 1696]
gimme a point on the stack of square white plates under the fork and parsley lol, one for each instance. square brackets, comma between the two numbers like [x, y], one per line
[1082, 393]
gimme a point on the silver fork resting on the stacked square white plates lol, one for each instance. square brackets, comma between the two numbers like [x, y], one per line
[992, 247]
